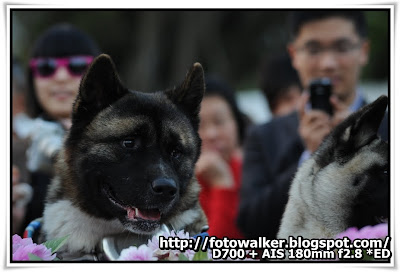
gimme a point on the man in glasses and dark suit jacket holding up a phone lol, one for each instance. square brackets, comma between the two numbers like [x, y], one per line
[324, 44]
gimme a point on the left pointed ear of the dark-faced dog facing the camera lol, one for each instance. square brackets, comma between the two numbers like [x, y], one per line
[99, 87]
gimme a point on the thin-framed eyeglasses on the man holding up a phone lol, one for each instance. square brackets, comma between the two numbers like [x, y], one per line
[339, 48]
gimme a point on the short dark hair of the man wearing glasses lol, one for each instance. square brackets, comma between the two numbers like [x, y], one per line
[298, 18]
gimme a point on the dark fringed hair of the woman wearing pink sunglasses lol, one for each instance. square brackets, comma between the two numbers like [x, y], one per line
[58, 41]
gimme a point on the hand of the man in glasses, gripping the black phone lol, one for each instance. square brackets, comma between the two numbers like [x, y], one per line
[314, 125]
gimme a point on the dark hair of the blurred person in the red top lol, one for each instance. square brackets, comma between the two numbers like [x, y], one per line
[217, 87]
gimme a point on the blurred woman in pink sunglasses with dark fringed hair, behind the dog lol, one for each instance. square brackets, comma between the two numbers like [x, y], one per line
[59, 58]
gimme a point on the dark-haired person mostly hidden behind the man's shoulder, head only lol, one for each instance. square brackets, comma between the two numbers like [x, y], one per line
[280, 84]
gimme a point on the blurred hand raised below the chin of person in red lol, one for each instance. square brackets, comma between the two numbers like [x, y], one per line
[214, 170]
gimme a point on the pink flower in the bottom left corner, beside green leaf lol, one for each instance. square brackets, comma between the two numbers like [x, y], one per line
[22, 248]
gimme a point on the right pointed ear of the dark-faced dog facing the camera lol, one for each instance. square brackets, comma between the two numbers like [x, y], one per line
[189, 94]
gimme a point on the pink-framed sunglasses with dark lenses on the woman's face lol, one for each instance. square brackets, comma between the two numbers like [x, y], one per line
[47, 67]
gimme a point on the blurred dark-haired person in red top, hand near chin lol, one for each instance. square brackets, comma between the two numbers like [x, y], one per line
[222, 129]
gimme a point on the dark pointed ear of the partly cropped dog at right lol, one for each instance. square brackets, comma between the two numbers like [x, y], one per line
[363, 125]
